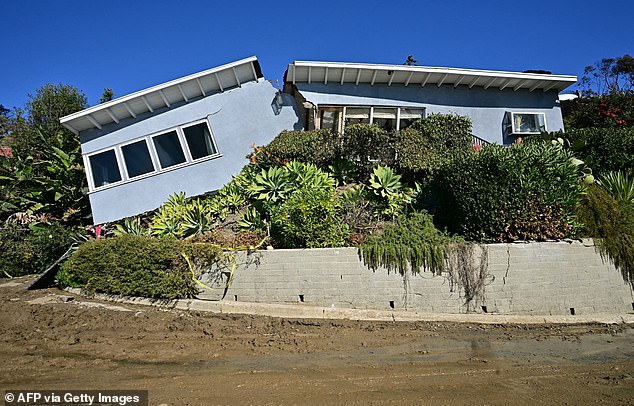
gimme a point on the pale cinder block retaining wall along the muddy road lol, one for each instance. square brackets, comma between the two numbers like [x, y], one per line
[534, 278]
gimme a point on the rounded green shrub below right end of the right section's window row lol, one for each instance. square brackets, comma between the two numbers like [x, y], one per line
[428, 143]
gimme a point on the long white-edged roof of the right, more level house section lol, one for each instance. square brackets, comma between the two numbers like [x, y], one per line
[362, 73]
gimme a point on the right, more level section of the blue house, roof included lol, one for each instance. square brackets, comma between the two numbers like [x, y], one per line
[501, 105]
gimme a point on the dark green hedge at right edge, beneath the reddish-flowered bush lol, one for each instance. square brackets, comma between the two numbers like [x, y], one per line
[604, 149]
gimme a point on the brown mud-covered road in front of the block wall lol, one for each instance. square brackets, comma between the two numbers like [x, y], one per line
[50, 339]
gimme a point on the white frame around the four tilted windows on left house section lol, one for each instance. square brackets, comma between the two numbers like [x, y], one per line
[149, 142]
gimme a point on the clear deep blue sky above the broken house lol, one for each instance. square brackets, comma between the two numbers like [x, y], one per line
[129, 45]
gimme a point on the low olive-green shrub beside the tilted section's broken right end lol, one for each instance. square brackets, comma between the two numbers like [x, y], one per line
[319, 147]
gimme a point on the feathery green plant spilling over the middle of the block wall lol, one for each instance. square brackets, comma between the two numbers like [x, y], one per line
[411, 241]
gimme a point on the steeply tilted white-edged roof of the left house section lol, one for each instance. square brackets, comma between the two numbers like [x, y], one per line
[184, 89]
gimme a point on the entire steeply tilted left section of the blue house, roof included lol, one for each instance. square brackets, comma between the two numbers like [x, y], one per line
[188, 135]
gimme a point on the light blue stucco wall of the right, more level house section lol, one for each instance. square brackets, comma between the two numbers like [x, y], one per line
[486, 108]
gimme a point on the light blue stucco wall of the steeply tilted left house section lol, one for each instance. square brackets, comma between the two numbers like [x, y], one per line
[238, 118]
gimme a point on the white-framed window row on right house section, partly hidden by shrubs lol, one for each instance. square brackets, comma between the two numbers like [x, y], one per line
[336, 118]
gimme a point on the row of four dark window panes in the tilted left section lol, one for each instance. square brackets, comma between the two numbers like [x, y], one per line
[152, 154]
